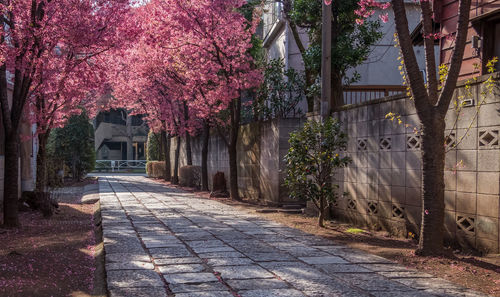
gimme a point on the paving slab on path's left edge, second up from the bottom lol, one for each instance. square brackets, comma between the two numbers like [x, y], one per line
[133, 279]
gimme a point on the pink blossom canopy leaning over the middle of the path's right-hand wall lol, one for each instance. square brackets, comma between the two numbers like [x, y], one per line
[190, 61]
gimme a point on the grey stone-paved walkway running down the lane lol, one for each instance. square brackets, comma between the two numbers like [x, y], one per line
[161, 241]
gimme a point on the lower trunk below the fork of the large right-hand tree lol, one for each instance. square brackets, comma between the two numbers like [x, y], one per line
[433, 158]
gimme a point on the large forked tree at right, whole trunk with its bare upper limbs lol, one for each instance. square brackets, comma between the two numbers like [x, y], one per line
[432, 102]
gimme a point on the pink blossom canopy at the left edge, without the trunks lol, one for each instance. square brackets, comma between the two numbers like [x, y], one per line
[55, 48]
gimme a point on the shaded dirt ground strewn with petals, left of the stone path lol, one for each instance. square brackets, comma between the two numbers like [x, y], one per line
[51, 257]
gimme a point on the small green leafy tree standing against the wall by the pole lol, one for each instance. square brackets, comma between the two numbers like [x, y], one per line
[311, 161]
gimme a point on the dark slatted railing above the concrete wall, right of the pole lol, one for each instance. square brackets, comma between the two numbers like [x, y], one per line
[362, 94]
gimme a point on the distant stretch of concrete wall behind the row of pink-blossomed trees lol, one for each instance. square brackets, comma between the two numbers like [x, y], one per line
[261, 150]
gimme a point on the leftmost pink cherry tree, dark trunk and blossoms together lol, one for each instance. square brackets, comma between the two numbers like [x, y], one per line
[34, 33]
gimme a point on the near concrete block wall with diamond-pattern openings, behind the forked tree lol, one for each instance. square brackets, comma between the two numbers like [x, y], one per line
[384, 180]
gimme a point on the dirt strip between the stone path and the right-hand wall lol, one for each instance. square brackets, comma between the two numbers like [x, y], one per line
[477, 273]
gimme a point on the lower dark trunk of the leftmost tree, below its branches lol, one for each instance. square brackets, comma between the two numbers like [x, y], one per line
[11, 180]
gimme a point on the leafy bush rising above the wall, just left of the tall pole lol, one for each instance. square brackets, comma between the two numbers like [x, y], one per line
[280, 93]
